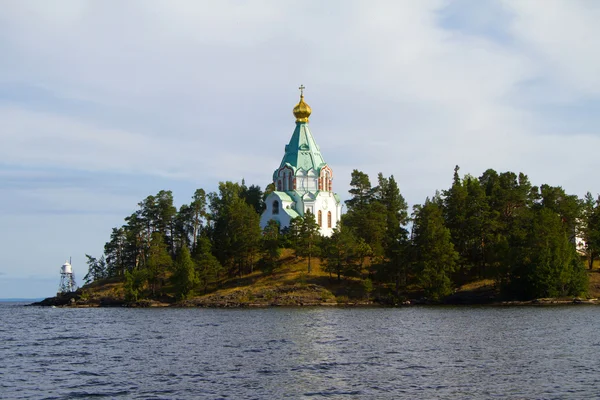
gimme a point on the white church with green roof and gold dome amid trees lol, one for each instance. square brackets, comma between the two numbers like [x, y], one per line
[303, 181]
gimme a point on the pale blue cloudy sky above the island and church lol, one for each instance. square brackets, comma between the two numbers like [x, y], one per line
[104, 102]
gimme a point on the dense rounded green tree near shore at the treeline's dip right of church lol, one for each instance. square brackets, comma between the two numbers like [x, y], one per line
[435, 257]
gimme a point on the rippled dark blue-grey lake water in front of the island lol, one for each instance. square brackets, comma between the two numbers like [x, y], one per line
[298, 353]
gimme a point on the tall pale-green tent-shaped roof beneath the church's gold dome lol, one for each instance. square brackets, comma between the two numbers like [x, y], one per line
[302, 151]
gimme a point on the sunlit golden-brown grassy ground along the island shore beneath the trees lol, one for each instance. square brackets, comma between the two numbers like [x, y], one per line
[290, 284]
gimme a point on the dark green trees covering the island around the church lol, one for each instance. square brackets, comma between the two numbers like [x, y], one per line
[496, 226]
